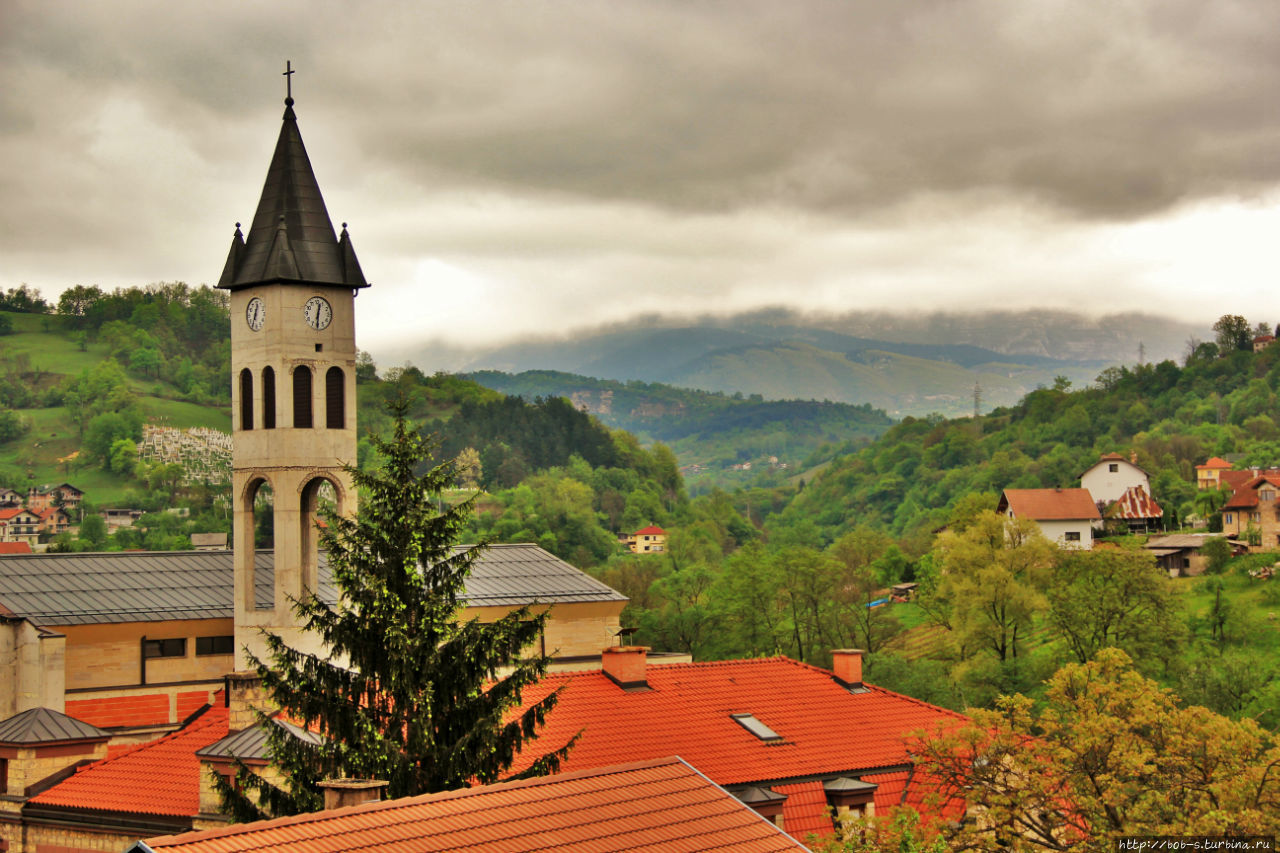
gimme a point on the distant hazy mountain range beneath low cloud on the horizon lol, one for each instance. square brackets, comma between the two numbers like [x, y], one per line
[909, 363]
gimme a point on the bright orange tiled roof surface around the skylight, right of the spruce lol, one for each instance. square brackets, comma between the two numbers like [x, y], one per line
[688, 713]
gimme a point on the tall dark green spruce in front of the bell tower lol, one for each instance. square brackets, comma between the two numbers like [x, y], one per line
[409, 694]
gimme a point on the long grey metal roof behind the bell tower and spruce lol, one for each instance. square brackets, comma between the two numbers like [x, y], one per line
[129, 587]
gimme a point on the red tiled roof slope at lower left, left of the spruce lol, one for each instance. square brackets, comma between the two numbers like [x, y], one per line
[157, 778]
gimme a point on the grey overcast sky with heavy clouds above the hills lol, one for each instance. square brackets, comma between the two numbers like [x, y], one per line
[536, 167]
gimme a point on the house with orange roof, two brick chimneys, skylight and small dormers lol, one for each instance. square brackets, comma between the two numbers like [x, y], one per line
[796, 742]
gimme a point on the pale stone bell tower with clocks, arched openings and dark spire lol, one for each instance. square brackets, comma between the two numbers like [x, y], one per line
[292, 289]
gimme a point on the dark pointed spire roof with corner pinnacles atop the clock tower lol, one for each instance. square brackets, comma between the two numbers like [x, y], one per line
[291, 239]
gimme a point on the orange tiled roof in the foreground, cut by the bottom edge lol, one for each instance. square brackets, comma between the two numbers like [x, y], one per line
[661, 806]
